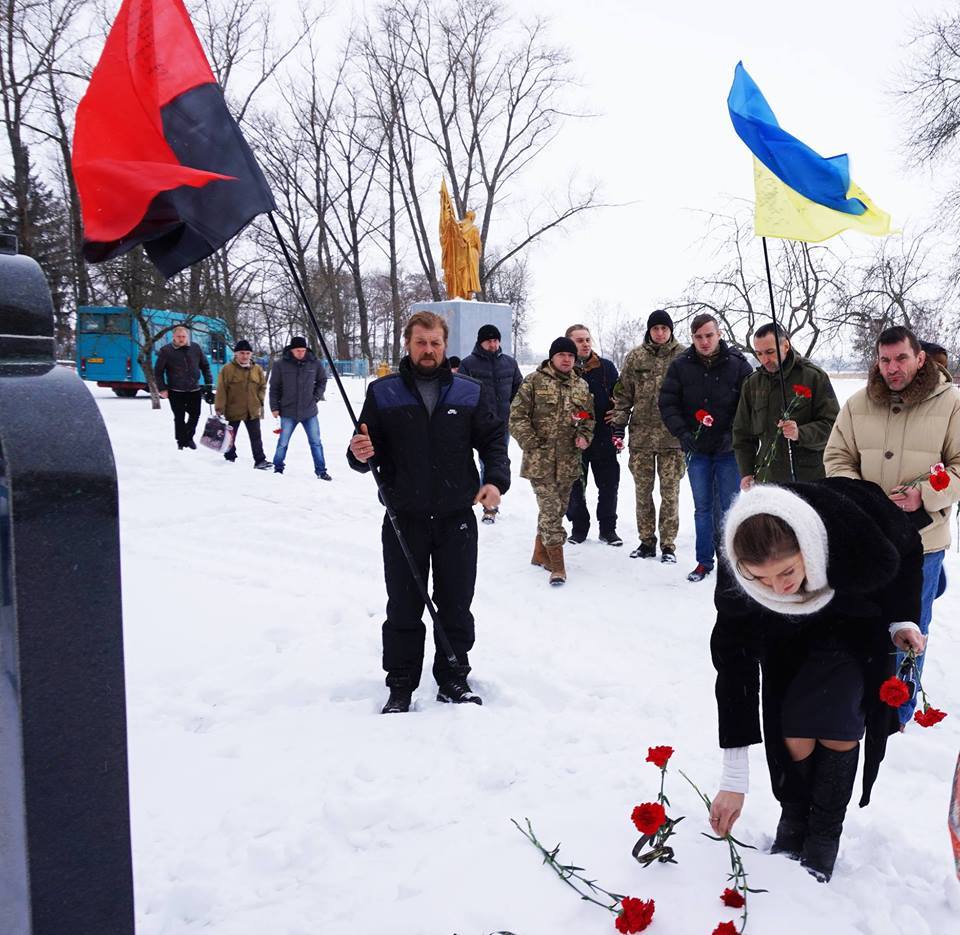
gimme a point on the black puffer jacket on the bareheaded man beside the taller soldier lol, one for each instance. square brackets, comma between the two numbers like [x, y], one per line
[691, 385]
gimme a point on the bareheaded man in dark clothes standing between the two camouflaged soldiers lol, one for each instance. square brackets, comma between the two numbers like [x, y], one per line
[601, 376]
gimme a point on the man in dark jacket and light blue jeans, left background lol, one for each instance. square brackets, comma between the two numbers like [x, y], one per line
[297, 382]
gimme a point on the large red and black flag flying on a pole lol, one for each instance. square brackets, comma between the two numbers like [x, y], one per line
[157, 158]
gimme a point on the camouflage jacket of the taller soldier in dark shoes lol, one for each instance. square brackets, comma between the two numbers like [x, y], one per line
[637, 391]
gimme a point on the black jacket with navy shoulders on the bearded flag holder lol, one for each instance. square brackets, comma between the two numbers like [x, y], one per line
[426, 462]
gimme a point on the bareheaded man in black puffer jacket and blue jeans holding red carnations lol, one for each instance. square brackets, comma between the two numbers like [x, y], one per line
[698, 401]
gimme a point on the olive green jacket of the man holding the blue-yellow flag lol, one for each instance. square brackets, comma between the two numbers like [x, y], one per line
[761, 407]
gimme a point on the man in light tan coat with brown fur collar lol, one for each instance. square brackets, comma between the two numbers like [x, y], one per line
[892, 432]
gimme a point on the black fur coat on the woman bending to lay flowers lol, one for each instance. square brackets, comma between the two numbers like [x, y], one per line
[875, 566]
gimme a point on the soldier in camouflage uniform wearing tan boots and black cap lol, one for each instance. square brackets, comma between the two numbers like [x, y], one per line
[551, 417]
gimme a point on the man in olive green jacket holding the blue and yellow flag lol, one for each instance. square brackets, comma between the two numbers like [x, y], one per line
[759, 422]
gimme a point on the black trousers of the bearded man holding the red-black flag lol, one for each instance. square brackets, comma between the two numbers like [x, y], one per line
[448, 544]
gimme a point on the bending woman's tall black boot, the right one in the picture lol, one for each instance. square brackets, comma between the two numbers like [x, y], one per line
[830, 789]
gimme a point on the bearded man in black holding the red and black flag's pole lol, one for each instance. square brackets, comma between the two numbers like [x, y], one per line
[420, 427]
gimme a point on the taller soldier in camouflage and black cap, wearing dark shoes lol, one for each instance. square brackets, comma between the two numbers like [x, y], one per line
[653, 450]
